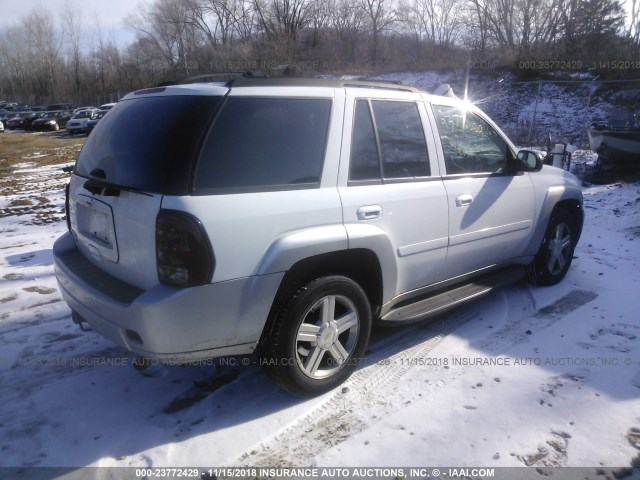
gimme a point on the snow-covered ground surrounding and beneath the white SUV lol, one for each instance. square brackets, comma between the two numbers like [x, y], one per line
[527, 376]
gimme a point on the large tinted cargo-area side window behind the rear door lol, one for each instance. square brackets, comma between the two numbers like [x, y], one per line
[261, 144]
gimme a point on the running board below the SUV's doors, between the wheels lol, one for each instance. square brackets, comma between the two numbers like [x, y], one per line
[439, 302]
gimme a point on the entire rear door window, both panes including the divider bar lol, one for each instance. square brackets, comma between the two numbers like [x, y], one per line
[389, 145]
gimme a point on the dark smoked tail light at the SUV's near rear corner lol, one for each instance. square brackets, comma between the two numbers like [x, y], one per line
[183, 252]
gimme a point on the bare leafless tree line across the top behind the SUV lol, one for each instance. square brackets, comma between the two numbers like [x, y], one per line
[47, 56]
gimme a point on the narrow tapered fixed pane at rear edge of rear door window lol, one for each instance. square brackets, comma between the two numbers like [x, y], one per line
[364, 164]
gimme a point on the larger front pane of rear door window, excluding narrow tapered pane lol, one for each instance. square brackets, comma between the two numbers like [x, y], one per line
[402, 143]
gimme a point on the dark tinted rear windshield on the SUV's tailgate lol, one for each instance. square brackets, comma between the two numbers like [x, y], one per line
[149, 143]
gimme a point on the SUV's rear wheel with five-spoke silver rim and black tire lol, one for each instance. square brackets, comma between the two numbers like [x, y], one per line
[318, 337]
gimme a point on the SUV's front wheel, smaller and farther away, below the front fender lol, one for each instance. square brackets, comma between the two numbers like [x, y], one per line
[556, 252]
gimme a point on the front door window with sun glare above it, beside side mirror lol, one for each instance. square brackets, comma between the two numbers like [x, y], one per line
[469, 143]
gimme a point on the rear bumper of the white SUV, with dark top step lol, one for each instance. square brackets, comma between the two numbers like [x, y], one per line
[172, 324]
